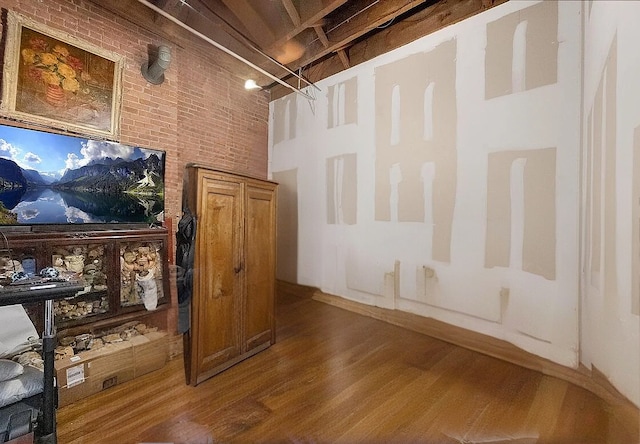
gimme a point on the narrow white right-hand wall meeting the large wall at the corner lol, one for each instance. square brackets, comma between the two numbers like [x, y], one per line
[611, 189]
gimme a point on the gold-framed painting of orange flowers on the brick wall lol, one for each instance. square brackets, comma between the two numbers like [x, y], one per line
[57, 80]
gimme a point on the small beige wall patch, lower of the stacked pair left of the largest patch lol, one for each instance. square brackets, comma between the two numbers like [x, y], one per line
[342, 179]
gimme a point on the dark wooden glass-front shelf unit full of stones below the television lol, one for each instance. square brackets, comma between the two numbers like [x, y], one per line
[109, 260]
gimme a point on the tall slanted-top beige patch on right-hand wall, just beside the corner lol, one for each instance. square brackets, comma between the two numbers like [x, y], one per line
[600, 251]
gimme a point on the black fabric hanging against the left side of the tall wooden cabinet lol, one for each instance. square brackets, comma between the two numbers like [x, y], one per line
[185, 250]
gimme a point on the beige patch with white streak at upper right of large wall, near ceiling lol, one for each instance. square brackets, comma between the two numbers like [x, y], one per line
[522, 50]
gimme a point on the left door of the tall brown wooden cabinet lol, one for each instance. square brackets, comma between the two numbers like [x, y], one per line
[217, 302]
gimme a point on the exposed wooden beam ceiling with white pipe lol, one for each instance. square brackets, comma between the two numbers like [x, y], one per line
[300, 41]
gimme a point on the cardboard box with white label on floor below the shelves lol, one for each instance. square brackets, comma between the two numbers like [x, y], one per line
[92, 371]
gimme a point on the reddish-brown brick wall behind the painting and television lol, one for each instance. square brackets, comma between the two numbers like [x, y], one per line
[201, 113]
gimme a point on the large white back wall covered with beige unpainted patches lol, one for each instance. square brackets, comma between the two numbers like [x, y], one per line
[444, 177]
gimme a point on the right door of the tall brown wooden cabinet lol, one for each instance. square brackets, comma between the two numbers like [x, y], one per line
[260, 263]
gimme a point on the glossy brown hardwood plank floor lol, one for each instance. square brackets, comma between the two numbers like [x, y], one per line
[338, 377]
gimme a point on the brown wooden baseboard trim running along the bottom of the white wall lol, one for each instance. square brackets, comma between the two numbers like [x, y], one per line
[592, 380]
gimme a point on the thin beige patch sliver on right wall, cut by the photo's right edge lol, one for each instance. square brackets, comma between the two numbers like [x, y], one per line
[635, 249]
